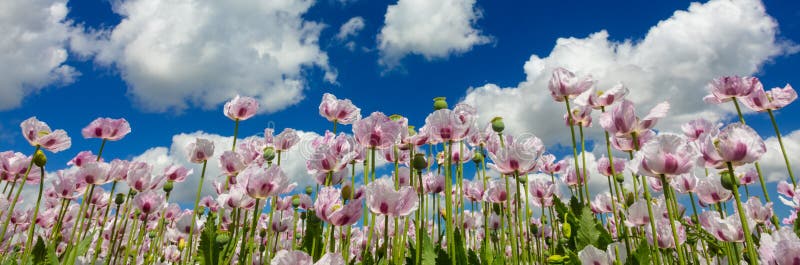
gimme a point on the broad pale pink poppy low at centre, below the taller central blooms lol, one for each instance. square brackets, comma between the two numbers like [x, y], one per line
[383, 199]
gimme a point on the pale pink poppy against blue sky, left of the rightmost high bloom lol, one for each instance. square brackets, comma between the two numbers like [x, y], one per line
[726, 88]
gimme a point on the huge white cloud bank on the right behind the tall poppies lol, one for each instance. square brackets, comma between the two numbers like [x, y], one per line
[673, 62]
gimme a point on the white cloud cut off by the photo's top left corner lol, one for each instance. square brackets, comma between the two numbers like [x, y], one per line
[33, 48]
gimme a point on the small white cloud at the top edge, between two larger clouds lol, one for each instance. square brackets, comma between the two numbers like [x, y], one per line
[434, 29]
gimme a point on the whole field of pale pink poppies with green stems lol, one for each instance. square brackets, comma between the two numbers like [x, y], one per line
[459, 192]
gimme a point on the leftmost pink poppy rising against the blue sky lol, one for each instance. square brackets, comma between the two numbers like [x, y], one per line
[39, 134]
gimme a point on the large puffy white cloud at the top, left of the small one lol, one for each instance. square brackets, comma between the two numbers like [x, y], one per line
[177, 54]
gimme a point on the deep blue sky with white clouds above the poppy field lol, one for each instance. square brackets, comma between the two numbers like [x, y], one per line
[706, 44]
